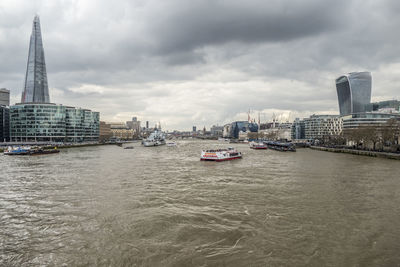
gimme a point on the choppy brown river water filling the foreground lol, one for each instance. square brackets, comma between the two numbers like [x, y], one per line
[161, 206]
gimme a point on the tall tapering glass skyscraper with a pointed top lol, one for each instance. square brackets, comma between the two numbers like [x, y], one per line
[35, 87]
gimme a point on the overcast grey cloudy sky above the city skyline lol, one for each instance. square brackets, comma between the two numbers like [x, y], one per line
[202, 62]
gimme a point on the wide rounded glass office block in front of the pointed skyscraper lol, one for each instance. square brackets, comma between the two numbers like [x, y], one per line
[48, 122]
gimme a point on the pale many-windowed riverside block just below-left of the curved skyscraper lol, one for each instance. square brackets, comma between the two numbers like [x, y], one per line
[320, 126]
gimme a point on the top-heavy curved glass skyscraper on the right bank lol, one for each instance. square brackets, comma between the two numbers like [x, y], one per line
[354, 92]
